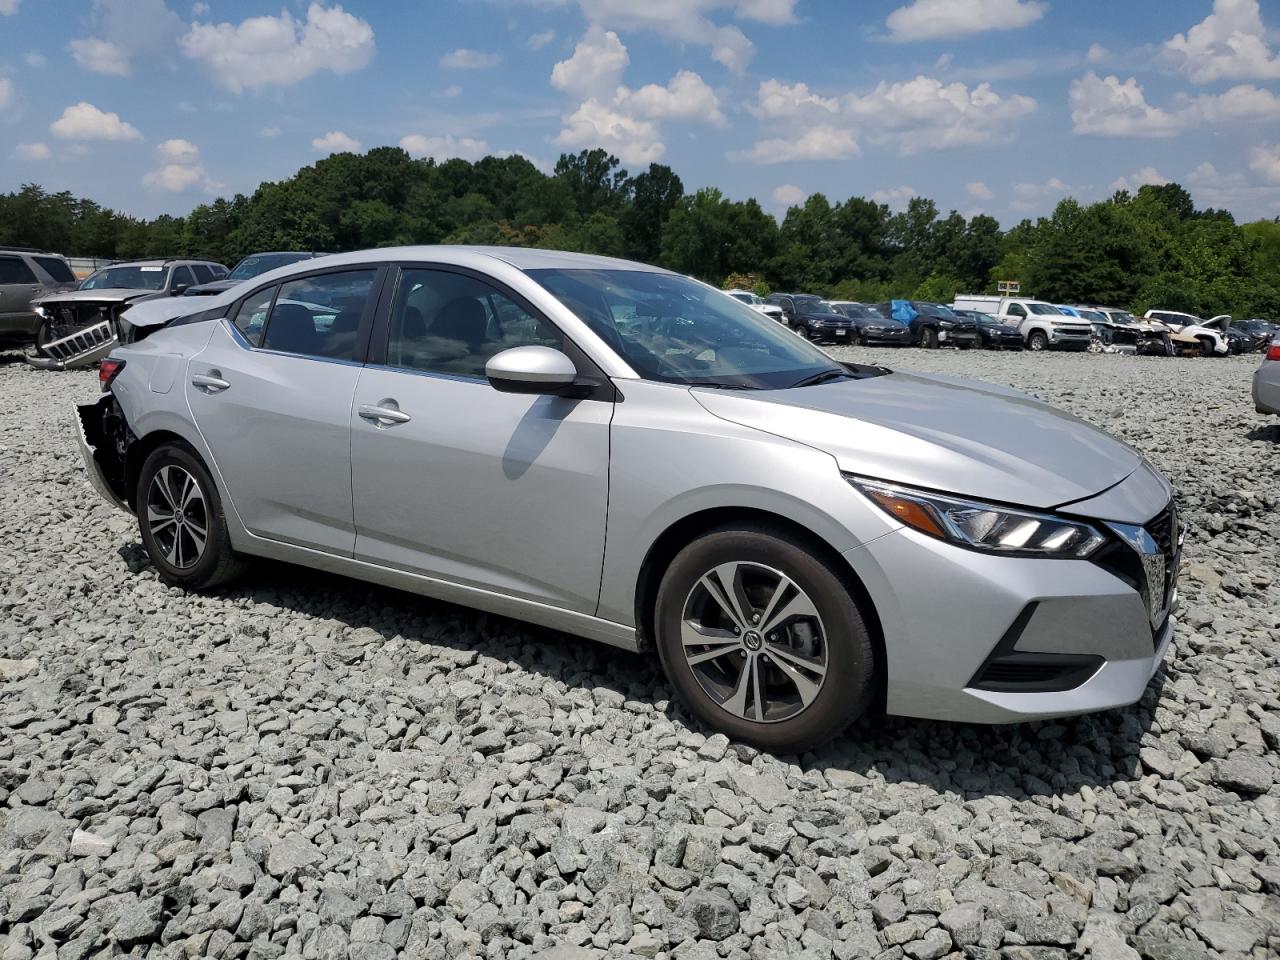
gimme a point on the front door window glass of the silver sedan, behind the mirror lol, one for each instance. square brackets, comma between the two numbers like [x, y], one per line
[452, 324]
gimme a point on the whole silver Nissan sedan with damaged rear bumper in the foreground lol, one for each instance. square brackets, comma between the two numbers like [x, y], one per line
[627, 455]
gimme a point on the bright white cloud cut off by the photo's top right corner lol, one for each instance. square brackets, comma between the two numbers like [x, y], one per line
[1229, 44]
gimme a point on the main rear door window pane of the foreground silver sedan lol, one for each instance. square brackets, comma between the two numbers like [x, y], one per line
[319, 317]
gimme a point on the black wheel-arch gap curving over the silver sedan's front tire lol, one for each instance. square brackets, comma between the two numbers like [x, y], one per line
[688, 529]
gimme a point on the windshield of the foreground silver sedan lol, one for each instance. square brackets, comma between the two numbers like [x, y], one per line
[674, 330]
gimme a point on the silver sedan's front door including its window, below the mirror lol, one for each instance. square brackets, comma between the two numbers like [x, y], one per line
[461, 483]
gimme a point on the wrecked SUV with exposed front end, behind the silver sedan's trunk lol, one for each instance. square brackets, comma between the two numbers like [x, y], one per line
[80, 327]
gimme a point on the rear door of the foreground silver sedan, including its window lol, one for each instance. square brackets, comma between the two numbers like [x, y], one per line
[272, 396]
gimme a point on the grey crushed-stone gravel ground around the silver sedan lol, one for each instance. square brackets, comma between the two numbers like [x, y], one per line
[307, 766]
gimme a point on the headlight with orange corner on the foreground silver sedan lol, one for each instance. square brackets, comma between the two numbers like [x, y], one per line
[984, 527]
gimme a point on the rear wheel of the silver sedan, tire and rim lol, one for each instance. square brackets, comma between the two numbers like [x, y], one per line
[182, 523]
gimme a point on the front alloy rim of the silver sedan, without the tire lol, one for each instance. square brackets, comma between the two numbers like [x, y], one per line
[755, 642]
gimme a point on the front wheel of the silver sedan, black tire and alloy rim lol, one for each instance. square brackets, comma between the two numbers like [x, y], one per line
[801, 666]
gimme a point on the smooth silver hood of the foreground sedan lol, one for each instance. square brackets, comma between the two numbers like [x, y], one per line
[943, 433]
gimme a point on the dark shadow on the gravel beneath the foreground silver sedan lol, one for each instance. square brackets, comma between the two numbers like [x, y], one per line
[968, 761]
